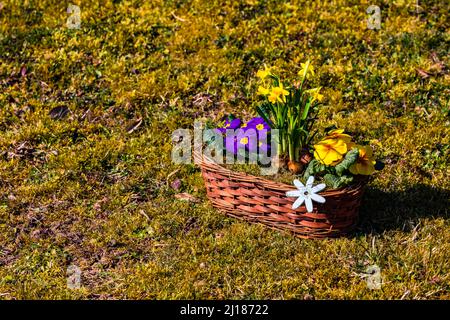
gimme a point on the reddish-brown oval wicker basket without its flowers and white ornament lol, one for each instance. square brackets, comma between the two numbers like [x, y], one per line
[259, 200]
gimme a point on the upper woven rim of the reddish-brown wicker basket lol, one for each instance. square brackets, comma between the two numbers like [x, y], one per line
[208, 163]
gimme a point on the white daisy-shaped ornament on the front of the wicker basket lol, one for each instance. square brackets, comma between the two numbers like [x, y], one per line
[306, 194]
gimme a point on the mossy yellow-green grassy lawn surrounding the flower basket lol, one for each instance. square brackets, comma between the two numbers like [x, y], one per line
[86, 176]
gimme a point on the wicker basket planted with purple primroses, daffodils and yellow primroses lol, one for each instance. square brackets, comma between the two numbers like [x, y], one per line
[285, 129]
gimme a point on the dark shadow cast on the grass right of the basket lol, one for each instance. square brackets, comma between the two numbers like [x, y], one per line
[382, 211]
